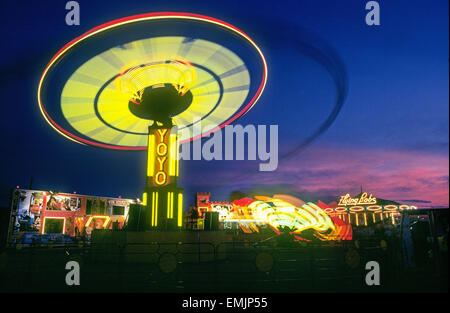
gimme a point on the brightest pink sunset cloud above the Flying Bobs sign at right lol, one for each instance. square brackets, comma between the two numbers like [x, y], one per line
[394, 175]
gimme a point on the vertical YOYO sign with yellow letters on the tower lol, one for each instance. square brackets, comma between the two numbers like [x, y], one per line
[162, 157]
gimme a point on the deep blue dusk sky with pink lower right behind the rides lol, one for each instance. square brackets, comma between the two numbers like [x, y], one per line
[391, 135]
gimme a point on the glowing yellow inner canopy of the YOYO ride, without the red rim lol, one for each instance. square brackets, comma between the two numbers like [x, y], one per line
[95, 79]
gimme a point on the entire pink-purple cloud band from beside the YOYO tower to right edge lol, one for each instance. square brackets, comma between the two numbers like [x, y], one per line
[415, 178]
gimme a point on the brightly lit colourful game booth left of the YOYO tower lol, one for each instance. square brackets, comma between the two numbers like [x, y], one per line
[42, 216]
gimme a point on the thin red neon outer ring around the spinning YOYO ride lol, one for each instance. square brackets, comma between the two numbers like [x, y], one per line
[137, 18]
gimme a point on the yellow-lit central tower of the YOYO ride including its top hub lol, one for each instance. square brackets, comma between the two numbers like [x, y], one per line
[157, 92]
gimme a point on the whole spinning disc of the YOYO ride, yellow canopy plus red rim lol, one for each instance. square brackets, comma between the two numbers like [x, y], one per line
[94, 100]
